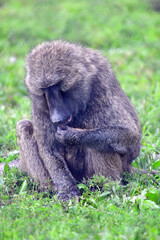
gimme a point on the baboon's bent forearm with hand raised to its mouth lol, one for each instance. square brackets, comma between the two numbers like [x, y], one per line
[110, 139]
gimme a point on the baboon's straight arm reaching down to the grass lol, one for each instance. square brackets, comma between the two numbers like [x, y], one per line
[64, 182]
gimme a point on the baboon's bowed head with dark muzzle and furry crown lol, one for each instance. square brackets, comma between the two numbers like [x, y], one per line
[62, 72]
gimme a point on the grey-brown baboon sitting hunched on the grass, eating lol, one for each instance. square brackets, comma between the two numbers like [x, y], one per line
[82, 125]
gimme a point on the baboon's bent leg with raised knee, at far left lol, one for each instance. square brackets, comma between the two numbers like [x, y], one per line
[30, 160]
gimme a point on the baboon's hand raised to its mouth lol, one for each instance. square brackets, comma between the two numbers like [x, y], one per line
[66, 135]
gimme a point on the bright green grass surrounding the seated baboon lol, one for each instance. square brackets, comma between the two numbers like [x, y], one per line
[127, 32]
